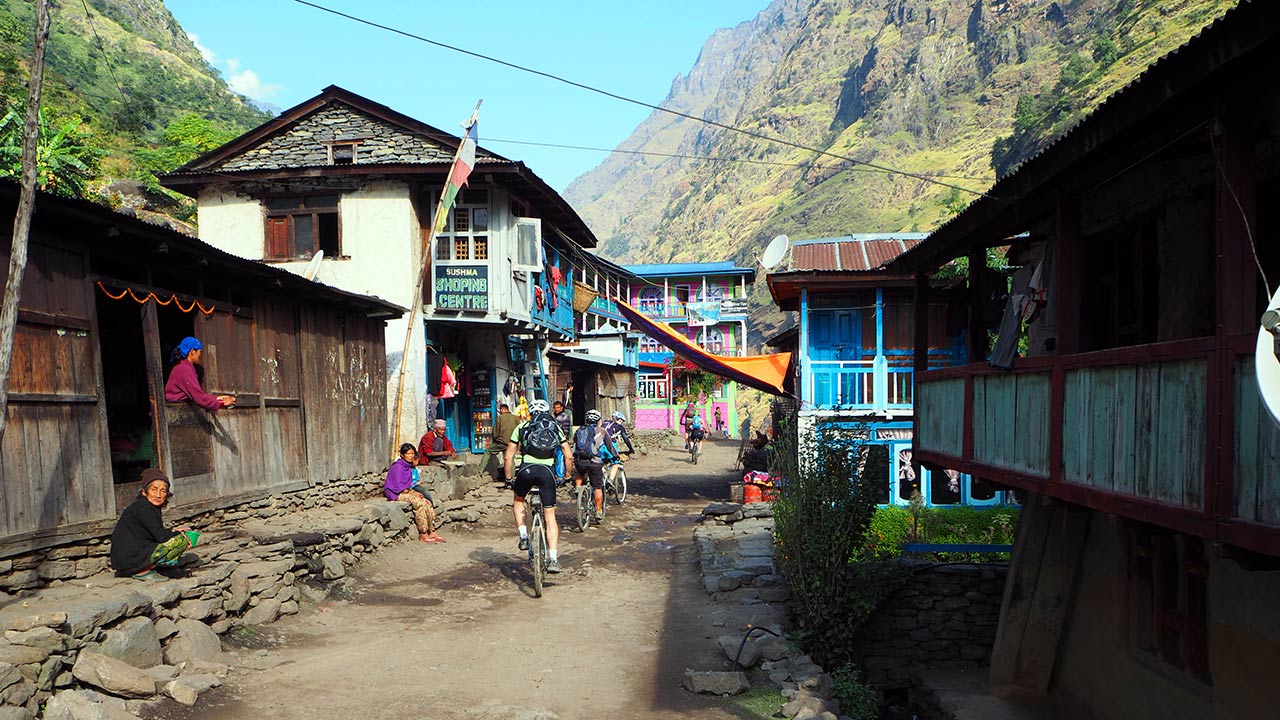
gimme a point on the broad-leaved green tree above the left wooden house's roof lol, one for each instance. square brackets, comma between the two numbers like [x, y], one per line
[65, 160]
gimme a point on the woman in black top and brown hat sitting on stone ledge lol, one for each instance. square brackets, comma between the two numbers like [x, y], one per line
[140, 541]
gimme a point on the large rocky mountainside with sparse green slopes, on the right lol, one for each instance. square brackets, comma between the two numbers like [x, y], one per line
[954, 90]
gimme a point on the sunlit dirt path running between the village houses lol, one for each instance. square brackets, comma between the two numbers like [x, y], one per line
[452, 631]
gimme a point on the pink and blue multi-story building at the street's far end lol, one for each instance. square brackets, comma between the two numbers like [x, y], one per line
[706, 303]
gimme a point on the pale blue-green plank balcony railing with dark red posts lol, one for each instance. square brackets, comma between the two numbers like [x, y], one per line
[1162, 434]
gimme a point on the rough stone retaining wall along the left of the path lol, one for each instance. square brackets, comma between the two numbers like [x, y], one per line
[71, 626]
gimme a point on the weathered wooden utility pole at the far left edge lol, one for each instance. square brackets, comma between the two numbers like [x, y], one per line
[26, 207]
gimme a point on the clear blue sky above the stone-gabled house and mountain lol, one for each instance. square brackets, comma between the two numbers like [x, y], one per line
[282, 53]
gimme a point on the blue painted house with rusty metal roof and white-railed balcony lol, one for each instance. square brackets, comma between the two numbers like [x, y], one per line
[854, 341]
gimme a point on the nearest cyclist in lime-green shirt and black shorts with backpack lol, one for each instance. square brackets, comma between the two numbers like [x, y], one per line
[537, 441]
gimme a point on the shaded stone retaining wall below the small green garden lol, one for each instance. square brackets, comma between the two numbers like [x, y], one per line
[943, 616]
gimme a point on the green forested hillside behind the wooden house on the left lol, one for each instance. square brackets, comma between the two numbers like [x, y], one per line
[127, 95]
